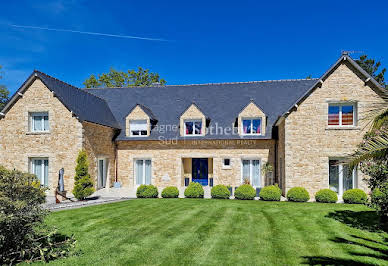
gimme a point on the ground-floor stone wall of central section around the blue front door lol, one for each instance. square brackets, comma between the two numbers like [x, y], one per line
[167, 159]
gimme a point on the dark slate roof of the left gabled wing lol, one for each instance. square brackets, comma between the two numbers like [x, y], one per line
[86, 106]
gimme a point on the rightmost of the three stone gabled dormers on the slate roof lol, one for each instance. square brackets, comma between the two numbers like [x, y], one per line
[251, 121]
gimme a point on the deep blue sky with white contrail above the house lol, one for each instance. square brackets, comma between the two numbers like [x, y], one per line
[207, 41]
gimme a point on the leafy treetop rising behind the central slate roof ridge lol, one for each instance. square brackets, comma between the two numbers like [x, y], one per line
[118, 79]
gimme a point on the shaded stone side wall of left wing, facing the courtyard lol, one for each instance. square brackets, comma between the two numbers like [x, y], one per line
[98, 144]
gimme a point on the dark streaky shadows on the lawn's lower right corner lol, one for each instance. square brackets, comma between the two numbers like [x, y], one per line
[364, 220]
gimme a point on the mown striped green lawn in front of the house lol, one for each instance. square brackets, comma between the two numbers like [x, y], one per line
[229, 232]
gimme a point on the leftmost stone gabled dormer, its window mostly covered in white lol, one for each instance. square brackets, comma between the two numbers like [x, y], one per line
[139, 122]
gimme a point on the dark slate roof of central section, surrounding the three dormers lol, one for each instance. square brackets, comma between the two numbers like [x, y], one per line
[221, 102]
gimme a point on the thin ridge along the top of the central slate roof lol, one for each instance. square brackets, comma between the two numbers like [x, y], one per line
[204, 84]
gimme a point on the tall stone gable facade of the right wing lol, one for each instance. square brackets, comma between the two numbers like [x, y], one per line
[308, 140]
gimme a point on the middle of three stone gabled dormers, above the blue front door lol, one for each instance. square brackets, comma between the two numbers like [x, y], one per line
[192, 122]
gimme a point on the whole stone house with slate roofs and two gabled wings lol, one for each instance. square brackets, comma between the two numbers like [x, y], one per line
[289, 132]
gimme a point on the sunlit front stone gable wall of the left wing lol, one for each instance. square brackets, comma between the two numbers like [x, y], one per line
[60, 145]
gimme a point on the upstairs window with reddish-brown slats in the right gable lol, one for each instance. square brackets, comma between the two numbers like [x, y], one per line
[341, 115]
